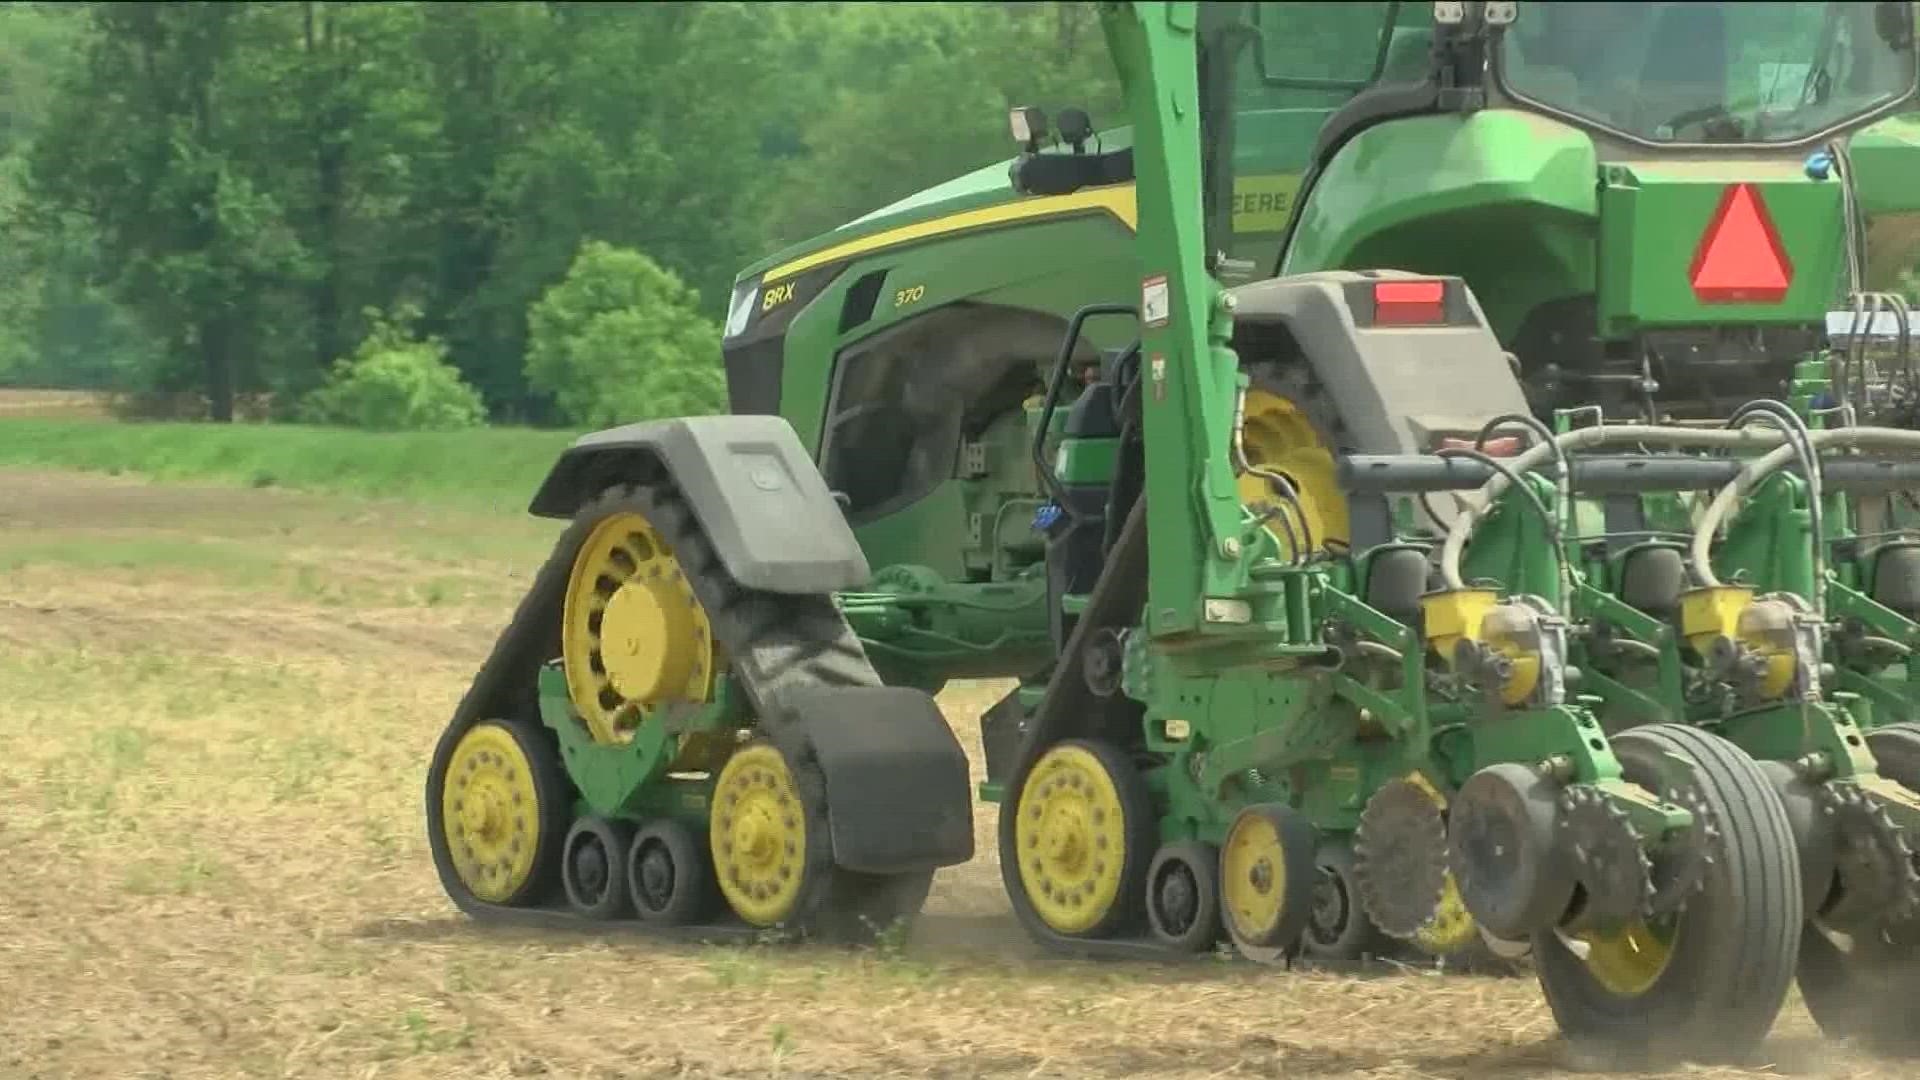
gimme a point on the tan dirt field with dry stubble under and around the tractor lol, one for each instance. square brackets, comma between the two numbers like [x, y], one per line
[216, 710]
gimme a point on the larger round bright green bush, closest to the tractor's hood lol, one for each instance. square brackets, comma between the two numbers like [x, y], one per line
[623, 341]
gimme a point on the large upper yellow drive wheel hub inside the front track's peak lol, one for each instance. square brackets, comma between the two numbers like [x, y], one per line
[635, 635]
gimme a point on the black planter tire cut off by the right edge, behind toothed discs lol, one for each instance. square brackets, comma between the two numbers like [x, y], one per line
[1863, 987]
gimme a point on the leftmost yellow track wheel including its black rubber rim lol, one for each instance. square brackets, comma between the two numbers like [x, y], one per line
[498, 812]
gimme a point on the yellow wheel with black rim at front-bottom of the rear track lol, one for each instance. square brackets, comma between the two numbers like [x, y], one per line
[1084, 835]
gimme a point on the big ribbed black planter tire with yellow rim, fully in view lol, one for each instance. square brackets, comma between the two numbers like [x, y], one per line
[1708, 981]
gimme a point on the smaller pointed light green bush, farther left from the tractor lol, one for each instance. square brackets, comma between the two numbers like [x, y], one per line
[396, 383]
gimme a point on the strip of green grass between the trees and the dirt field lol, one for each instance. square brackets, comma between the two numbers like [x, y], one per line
[477, 470]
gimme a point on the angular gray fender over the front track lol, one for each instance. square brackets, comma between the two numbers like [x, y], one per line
[752, 485]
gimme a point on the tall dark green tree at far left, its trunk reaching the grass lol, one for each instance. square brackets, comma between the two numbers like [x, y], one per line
[149, 145]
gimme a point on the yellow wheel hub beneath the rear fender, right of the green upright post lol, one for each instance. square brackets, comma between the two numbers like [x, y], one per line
[1278, 437]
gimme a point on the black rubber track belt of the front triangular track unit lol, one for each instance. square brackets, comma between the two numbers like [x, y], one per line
[773, 645]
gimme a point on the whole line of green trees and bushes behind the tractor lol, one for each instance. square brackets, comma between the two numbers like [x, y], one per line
[377, 205]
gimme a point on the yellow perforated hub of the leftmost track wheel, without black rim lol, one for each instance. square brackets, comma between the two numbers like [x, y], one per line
[491, 814]
